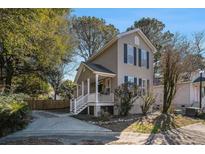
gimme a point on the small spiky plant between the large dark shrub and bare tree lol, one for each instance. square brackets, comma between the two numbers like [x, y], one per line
[148, 101]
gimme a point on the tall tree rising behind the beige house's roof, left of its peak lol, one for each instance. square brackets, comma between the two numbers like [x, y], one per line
[91, 33]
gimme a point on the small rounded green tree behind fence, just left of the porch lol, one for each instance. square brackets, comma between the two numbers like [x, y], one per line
[67, 89]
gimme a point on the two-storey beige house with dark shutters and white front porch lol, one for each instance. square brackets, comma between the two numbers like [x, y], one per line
[128, 57]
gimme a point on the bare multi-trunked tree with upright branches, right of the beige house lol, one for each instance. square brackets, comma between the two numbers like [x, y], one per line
[173, 66]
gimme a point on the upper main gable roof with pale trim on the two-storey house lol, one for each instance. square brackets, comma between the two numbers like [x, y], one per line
[147, 41]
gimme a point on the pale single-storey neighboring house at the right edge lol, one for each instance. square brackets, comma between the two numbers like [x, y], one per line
[187, 92]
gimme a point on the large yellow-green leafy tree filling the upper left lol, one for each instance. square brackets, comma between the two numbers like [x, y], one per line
[32, 40]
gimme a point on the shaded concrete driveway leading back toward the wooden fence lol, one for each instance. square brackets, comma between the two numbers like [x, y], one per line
[47, 123]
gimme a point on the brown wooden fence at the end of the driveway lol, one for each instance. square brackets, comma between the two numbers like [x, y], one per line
[48, 104]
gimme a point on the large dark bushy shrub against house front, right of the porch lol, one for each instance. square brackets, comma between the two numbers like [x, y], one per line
[126, 94]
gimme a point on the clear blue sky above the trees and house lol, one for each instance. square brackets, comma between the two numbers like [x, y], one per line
[184, 21]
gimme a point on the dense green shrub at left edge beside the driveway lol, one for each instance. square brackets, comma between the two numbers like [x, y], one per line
[14, 113]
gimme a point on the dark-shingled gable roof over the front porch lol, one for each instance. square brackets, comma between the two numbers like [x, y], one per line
[95, 68]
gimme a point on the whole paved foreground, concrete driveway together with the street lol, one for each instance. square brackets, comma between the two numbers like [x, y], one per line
[50, 128]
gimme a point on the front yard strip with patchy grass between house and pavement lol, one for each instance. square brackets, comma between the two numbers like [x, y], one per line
[152, 123]
